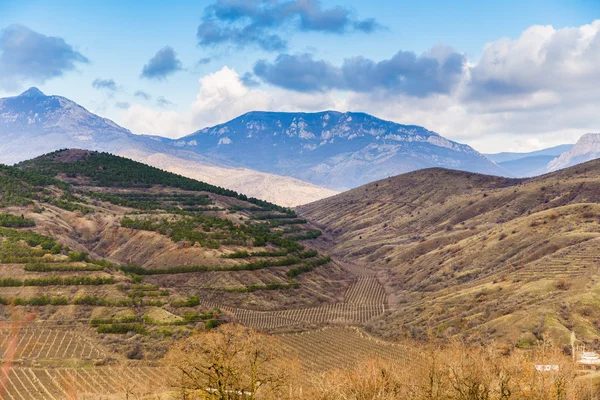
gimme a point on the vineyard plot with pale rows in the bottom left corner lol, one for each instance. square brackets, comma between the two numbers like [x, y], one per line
[82, 383]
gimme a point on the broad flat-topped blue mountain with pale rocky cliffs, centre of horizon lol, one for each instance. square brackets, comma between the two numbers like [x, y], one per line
[333, 149]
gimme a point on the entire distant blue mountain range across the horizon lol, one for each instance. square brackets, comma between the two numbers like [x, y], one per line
[287, 158]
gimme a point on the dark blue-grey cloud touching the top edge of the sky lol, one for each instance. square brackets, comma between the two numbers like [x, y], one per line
[259, 22]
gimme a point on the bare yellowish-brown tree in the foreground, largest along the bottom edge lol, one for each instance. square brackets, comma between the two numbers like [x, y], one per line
[230, 363]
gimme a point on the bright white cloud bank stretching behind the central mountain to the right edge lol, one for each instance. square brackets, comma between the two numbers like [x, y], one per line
[537, 90]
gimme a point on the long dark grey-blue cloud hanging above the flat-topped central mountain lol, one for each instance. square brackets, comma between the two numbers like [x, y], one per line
[404, 73]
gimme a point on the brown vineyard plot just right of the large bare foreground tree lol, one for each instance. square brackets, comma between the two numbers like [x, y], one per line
[339, 347]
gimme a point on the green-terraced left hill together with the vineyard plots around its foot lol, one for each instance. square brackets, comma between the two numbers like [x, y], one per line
[106, 263]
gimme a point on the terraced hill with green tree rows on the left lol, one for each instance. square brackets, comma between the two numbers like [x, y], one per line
[139, 242]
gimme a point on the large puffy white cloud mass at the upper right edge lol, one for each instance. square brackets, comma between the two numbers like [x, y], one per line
[543, 64]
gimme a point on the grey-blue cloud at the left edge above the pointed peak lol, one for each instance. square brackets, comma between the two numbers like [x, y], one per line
[29, 56]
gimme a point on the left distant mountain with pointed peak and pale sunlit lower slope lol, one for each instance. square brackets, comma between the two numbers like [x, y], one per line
[33, 124]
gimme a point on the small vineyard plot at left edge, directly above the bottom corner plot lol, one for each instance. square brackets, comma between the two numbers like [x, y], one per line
[38, 344]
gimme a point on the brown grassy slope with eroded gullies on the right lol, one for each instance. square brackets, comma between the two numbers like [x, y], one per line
[476, 255]
